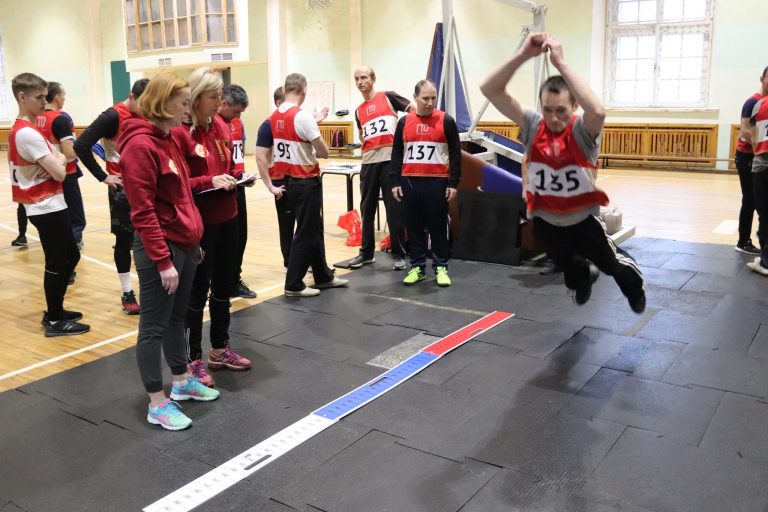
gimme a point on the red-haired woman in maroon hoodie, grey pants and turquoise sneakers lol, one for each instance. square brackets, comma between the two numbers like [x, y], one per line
[166, 249]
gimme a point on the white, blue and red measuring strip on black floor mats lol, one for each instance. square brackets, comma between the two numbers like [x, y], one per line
[236, 469]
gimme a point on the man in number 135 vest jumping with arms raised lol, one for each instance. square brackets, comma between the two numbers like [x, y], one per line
[562, 150]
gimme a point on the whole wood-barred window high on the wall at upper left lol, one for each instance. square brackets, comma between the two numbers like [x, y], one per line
[152, 25]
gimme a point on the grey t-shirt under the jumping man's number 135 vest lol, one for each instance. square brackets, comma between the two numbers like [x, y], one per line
[590, 148]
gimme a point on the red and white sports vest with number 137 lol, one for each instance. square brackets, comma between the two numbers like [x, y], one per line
[425, 147]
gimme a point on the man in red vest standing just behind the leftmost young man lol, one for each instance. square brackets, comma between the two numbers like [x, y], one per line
[59, 129]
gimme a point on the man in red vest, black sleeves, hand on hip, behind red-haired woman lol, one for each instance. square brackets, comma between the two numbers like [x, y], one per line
[107, 128]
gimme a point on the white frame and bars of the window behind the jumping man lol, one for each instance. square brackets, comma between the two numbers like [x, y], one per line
[657, 28]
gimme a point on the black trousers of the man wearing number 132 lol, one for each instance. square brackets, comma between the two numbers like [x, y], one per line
[374, 178]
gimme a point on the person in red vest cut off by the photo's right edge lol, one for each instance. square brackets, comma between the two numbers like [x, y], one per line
[759, 139]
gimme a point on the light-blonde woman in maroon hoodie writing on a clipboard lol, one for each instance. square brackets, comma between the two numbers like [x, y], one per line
[211, 162]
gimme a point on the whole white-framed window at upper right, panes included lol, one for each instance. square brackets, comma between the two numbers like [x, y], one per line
[657, 52]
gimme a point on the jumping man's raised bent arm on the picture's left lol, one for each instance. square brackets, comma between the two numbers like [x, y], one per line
[494, 87]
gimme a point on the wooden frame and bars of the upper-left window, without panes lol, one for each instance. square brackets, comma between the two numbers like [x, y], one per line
[196, 13]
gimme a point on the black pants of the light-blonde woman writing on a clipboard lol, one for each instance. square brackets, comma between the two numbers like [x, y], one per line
[220, 247]
